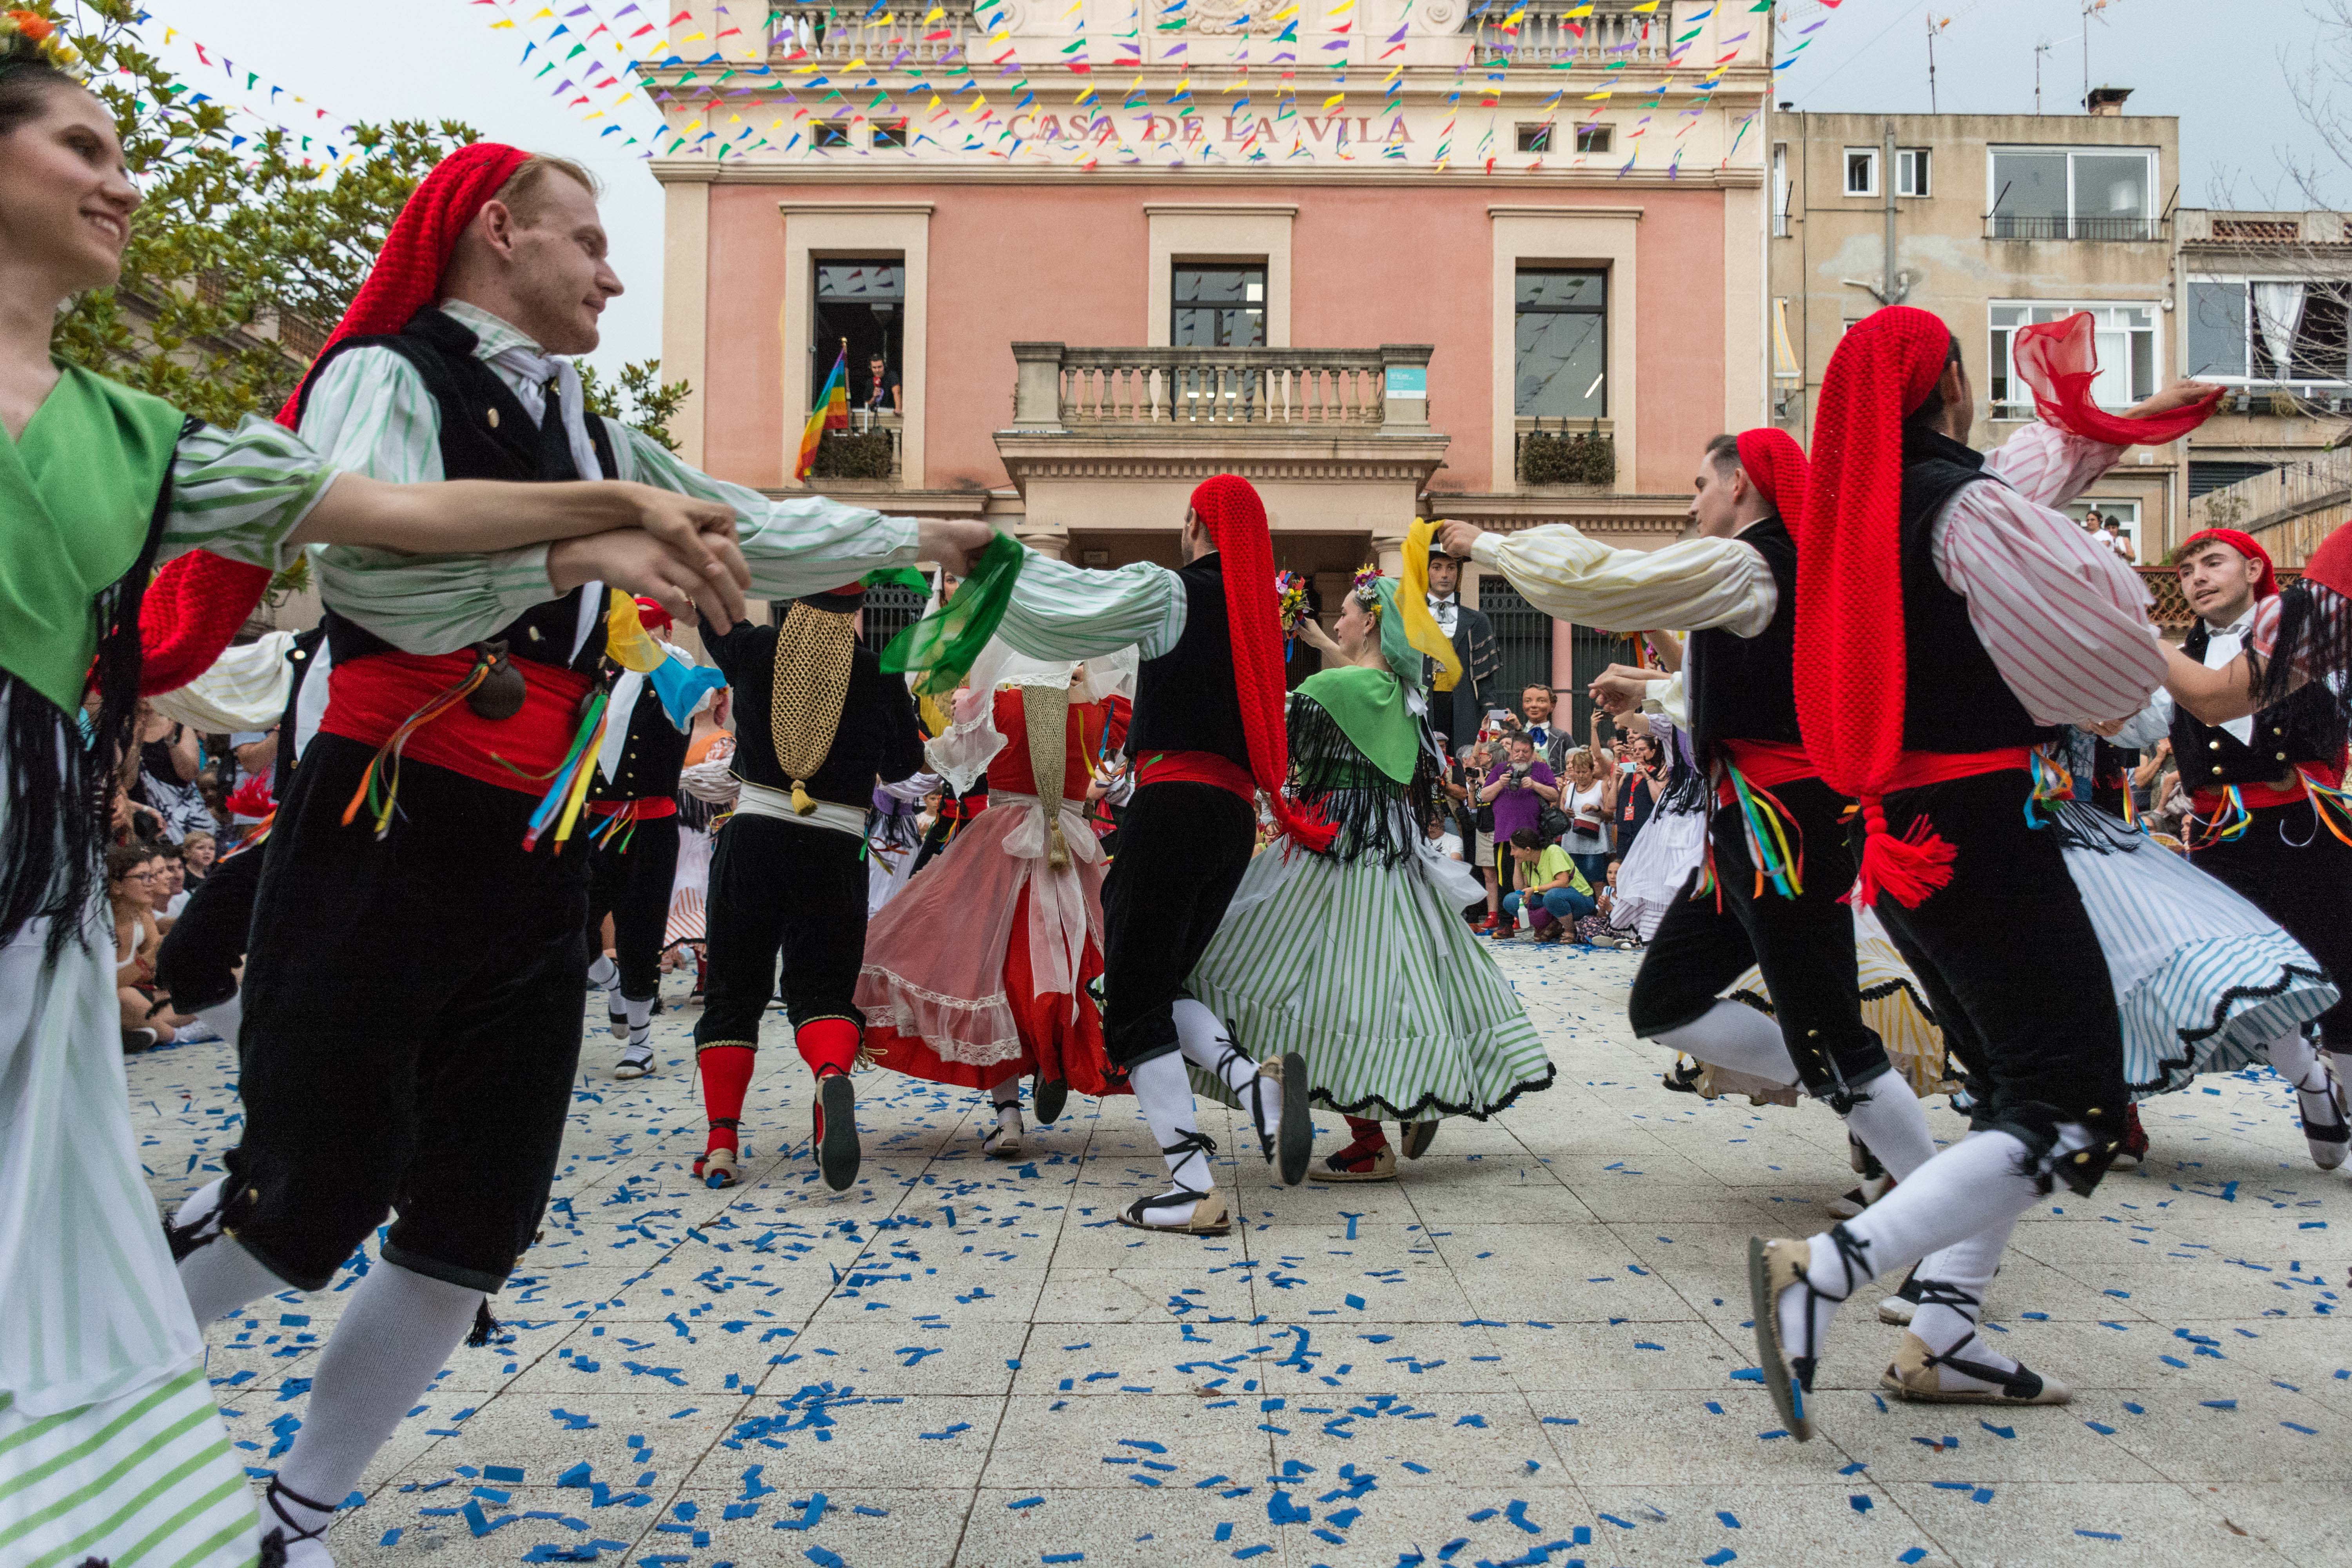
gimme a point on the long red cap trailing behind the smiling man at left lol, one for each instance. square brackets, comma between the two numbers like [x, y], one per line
[199, 601]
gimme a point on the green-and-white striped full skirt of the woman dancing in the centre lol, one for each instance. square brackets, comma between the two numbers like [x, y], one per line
[1372, 977]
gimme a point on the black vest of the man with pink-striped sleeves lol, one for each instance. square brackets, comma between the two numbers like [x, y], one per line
[1953, 695]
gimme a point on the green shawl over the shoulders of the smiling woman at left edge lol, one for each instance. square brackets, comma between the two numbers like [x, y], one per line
[76, 500]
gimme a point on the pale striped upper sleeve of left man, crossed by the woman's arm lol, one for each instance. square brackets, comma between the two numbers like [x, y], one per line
[370, 413]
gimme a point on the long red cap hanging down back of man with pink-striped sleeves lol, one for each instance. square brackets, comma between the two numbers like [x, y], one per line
[1850, 547]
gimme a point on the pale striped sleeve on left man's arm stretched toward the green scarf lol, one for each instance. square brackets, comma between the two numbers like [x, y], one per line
[796, 544]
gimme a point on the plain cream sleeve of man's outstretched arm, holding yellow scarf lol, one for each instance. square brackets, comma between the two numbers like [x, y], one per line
[1688, 587]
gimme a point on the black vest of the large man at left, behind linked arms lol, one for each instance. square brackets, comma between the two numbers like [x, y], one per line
[486, 434]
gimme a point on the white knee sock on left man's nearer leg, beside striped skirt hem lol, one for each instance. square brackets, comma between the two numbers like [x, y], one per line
[394, 1339]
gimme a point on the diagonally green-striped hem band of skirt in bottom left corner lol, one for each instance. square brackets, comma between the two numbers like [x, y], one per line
[140, 1482]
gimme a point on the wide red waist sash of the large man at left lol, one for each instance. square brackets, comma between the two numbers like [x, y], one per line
[368, 699]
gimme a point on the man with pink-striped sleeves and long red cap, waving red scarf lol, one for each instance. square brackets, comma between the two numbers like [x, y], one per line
[1930, 659]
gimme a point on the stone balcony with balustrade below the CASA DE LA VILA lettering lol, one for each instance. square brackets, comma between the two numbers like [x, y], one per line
[1337, 438]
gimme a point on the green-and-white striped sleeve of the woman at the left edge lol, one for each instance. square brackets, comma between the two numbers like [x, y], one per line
[243, 492]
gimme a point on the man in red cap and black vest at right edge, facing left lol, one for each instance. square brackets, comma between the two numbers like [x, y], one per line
[2257, 824]
